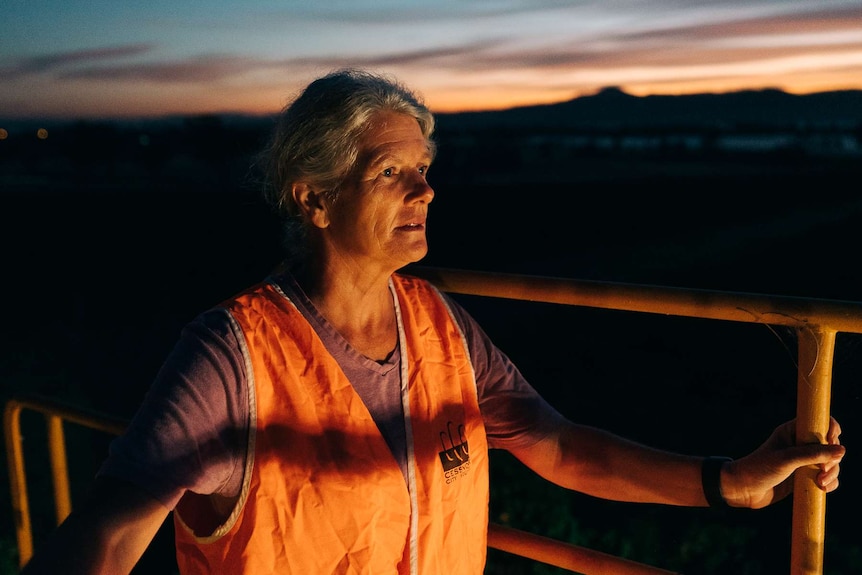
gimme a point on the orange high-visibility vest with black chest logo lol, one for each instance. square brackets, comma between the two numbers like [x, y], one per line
[323, 492]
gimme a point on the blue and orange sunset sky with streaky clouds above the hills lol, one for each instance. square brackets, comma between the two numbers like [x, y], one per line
[109, 58]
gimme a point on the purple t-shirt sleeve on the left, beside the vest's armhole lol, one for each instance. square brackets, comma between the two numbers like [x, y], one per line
[190, 432]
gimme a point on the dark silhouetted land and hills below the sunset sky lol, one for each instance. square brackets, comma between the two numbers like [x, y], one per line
[117, 233]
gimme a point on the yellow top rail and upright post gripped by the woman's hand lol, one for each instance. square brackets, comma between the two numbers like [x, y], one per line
[816, 323]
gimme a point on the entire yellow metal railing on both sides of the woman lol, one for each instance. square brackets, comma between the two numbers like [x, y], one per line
[816, 321]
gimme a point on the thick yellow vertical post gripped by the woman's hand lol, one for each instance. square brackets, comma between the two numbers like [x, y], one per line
[814, 388]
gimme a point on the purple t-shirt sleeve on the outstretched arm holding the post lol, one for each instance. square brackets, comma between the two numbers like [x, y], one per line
[514, 413]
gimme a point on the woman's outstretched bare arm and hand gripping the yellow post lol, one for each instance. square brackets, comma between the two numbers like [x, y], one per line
[605, 465]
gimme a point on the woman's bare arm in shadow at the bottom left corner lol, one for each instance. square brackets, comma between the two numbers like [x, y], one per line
[106, 535]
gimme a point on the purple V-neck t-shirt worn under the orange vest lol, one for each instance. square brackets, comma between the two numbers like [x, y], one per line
[191, 431]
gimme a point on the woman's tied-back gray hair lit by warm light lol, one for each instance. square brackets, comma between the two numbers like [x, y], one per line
[316, 137]
